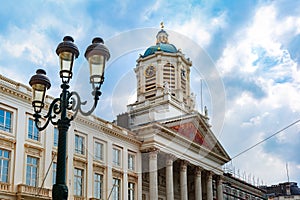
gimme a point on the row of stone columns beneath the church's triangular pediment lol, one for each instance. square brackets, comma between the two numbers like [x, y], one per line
[169, 177]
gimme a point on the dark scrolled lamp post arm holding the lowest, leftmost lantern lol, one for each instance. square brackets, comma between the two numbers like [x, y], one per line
[54, 110]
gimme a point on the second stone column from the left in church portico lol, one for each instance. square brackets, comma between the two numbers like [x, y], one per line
[169, 177]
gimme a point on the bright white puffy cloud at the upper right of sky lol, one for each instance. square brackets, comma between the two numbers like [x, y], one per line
[266, 33]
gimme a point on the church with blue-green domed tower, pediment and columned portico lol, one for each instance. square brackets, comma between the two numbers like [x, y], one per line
[181, 157]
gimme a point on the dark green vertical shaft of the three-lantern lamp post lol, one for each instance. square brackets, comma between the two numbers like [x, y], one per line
[60, 189]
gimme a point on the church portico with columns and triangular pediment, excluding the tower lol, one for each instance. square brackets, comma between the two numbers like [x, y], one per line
[174, 167]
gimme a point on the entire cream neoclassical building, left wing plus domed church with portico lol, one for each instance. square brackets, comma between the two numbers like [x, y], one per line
[161, 148]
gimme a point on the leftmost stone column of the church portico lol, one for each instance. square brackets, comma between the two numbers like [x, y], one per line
[153, 184]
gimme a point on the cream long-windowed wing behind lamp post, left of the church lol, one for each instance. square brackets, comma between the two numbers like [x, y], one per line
[99, 153]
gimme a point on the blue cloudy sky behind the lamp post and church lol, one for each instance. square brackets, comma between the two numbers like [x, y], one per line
[250, 86]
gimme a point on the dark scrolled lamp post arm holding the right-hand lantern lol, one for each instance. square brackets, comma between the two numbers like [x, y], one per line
[77, 103]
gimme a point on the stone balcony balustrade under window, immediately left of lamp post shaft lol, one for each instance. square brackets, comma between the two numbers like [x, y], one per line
[34, 191]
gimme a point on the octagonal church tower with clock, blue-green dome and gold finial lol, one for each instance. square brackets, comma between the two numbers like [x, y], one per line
[163, 83]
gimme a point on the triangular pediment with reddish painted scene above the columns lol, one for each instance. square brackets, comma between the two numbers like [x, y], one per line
[195, 128]
